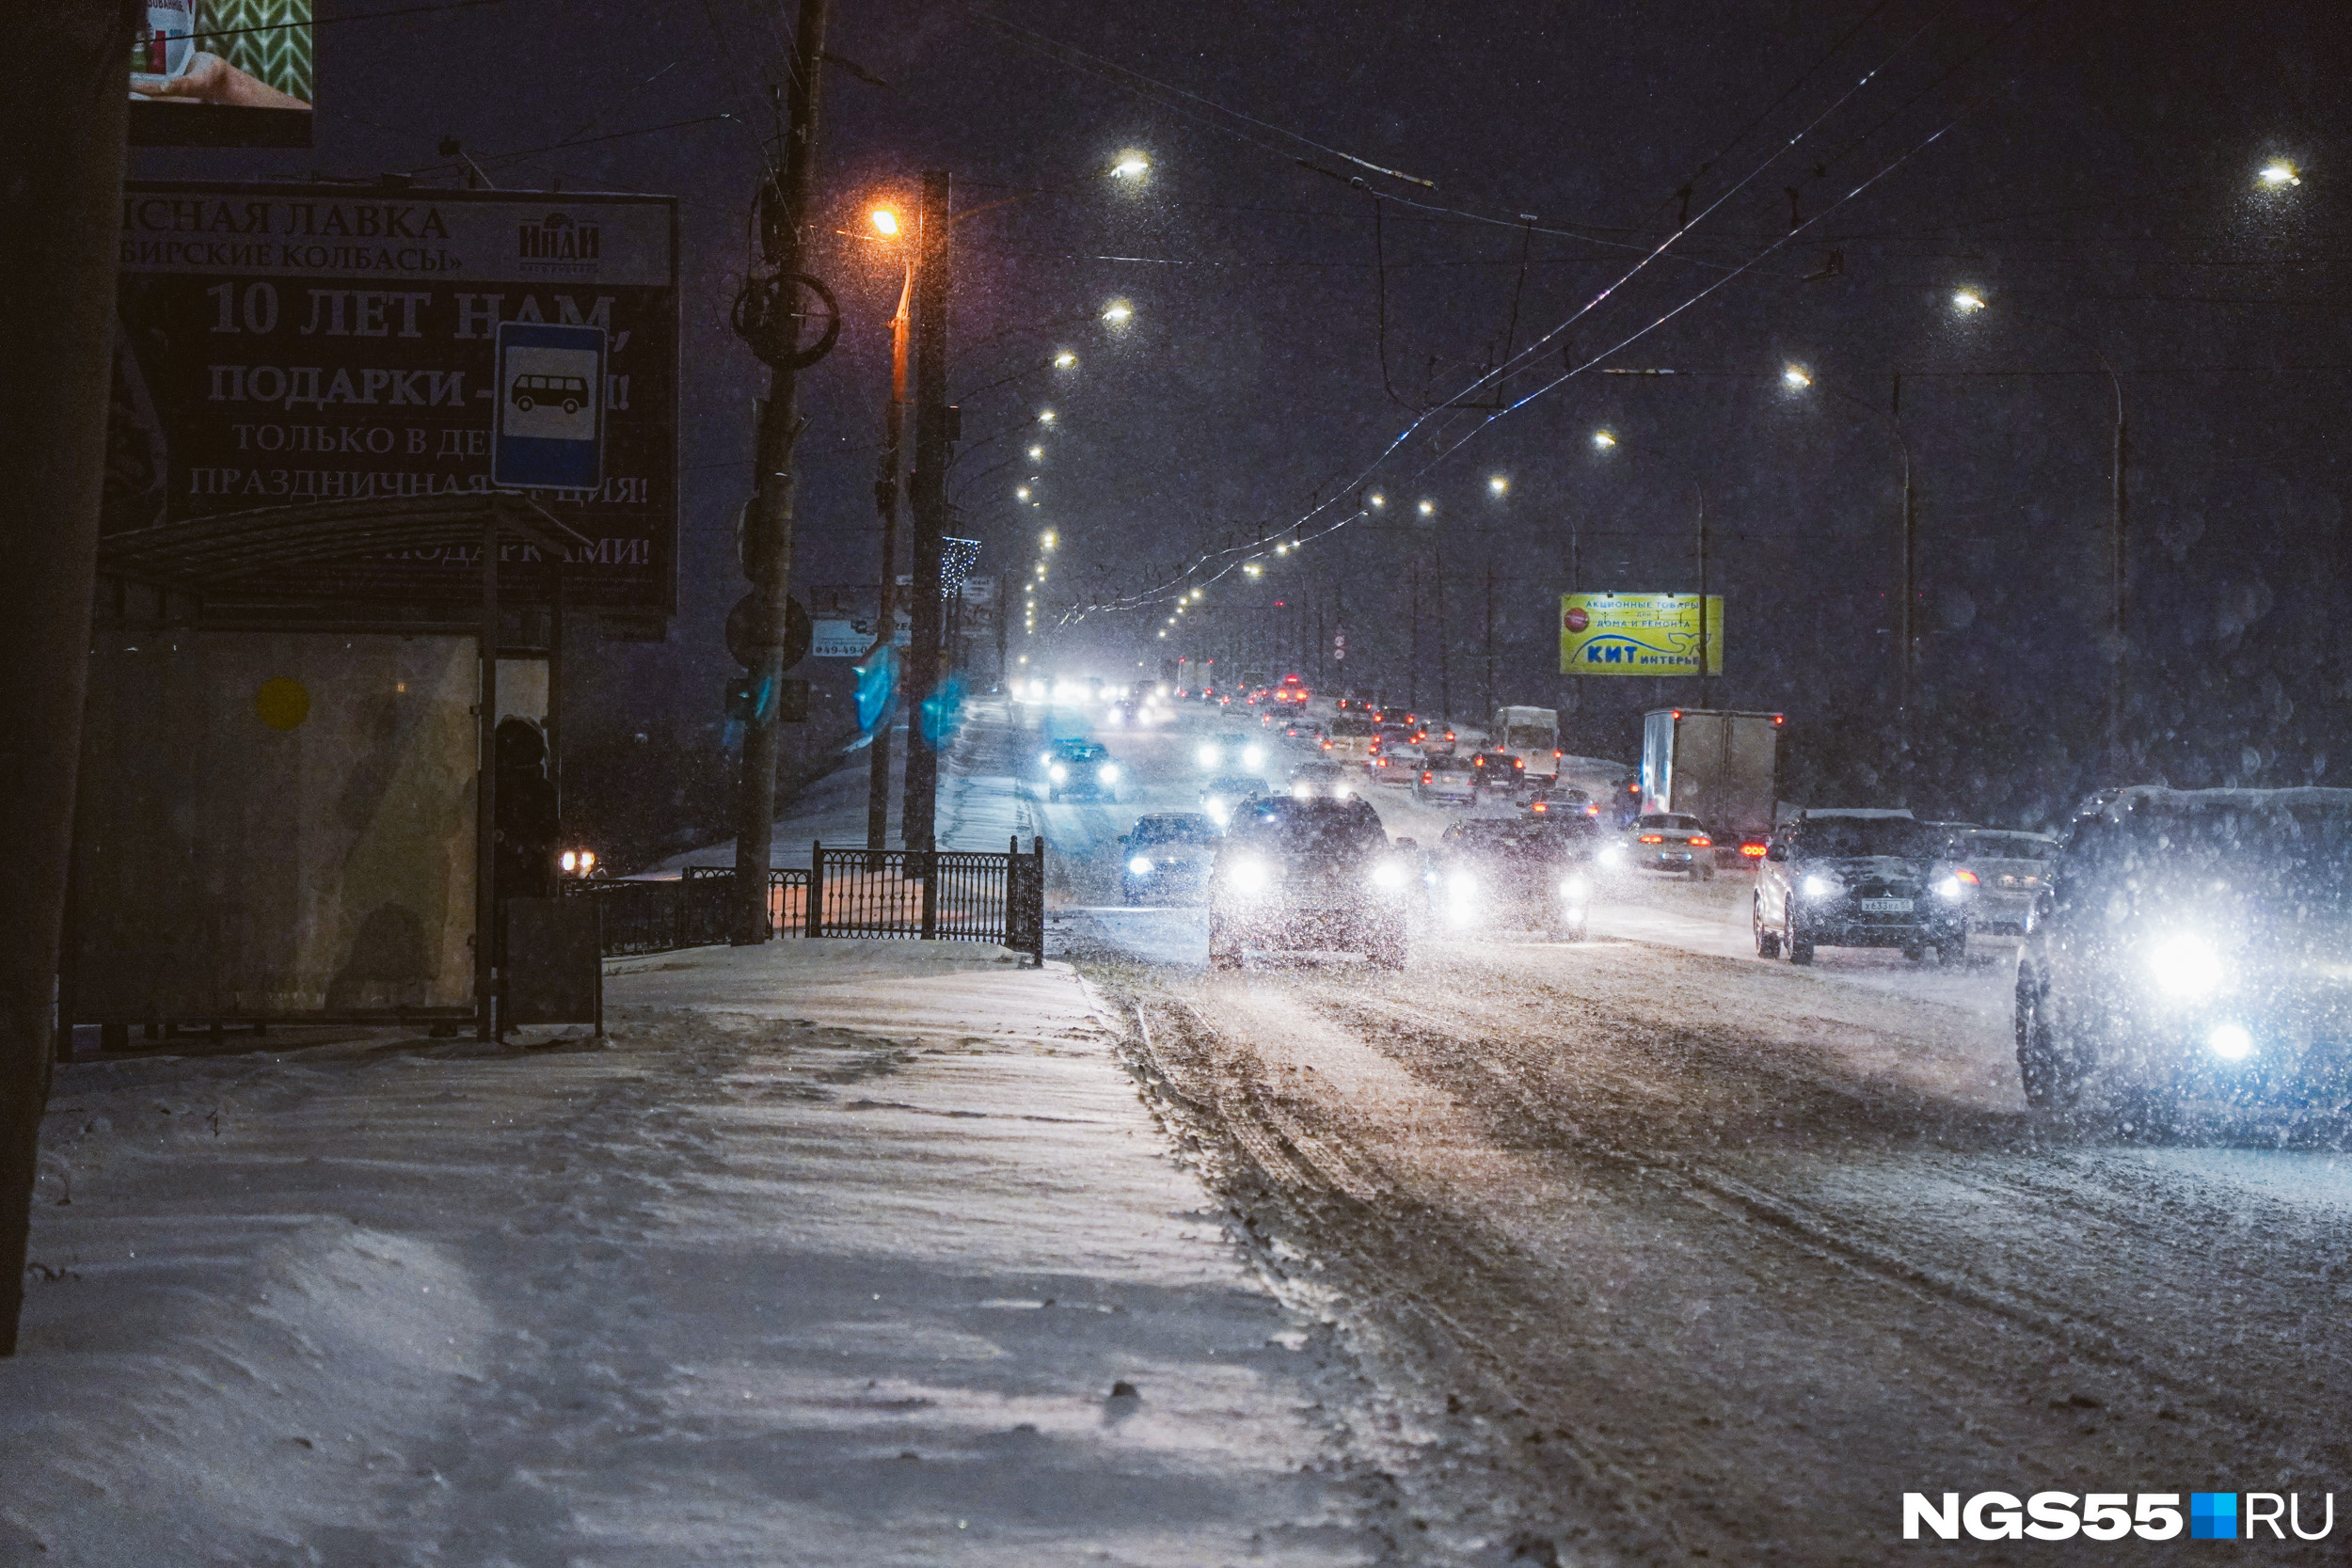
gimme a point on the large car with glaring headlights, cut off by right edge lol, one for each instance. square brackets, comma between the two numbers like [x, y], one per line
[2191, 944]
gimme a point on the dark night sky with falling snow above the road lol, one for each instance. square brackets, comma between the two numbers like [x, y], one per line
[2092, 170]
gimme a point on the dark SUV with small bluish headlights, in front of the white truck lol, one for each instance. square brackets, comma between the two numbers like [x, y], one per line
[1864, 878]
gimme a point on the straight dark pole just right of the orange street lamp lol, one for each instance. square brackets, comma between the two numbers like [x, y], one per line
[930, 497]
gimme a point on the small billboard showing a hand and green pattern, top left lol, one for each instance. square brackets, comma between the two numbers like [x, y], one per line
[222, 74]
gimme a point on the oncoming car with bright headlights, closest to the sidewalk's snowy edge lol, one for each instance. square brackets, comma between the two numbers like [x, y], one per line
[1309, 876]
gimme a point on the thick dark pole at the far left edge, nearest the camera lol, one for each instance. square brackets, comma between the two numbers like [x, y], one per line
[62, 126]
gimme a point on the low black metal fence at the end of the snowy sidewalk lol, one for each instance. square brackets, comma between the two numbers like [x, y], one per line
[944, 894]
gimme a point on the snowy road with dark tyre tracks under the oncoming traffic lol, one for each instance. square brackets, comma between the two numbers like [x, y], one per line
[1697, 1254]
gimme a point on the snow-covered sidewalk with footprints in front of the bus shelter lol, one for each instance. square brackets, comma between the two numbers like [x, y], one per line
[834, 1254]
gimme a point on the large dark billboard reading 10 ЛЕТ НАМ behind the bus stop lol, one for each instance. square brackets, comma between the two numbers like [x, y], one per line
[286, 344]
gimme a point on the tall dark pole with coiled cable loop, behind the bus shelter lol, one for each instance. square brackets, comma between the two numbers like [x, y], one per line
[768, 535]
